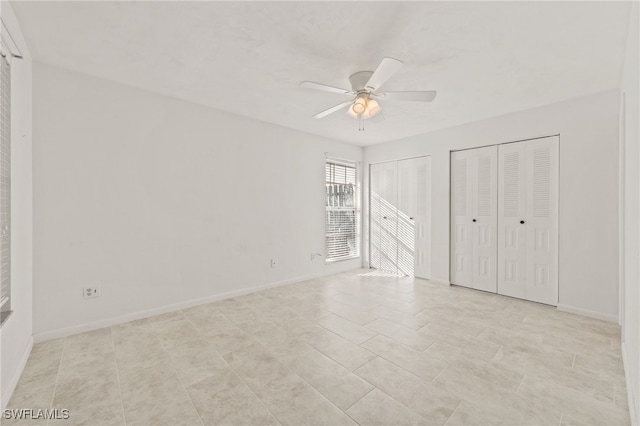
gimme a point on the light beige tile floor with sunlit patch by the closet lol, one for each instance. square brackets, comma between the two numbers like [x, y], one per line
[345, 349]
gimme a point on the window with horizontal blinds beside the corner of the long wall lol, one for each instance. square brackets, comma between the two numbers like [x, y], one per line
[342, 225]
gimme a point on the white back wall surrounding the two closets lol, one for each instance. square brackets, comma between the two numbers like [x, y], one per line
[588, 221]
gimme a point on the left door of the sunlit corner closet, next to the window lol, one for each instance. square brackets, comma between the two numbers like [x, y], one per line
[384, 222]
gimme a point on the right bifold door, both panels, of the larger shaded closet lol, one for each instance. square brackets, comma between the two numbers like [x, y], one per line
[528, 215]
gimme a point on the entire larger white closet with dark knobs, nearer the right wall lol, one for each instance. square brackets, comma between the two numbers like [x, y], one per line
[504, 219]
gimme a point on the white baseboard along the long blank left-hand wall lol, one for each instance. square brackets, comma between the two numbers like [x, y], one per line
[108, 322]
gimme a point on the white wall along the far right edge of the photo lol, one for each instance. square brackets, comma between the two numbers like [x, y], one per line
[630, 231]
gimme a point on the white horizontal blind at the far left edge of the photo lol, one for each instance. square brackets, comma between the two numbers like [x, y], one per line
[5, 186]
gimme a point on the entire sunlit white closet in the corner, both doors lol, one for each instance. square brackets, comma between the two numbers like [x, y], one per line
[399, 239]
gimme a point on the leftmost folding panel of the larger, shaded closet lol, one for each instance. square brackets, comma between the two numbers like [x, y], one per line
[461, 218]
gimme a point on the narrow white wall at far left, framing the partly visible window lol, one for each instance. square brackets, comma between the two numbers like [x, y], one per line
[15, 334]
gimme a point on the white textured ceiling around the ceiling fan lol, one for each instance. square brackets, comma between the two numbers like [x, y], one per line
[484, 58]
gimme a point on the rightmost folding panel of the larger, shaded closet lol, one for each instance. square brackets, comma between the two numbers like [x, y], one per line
[542, 220]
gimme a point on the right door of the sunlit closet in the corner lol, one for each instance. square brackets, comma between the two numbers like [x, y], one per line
[413, 216]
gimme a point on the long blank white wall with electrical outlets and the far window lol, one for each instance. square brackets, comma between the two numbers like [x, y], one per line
[163, 202]
